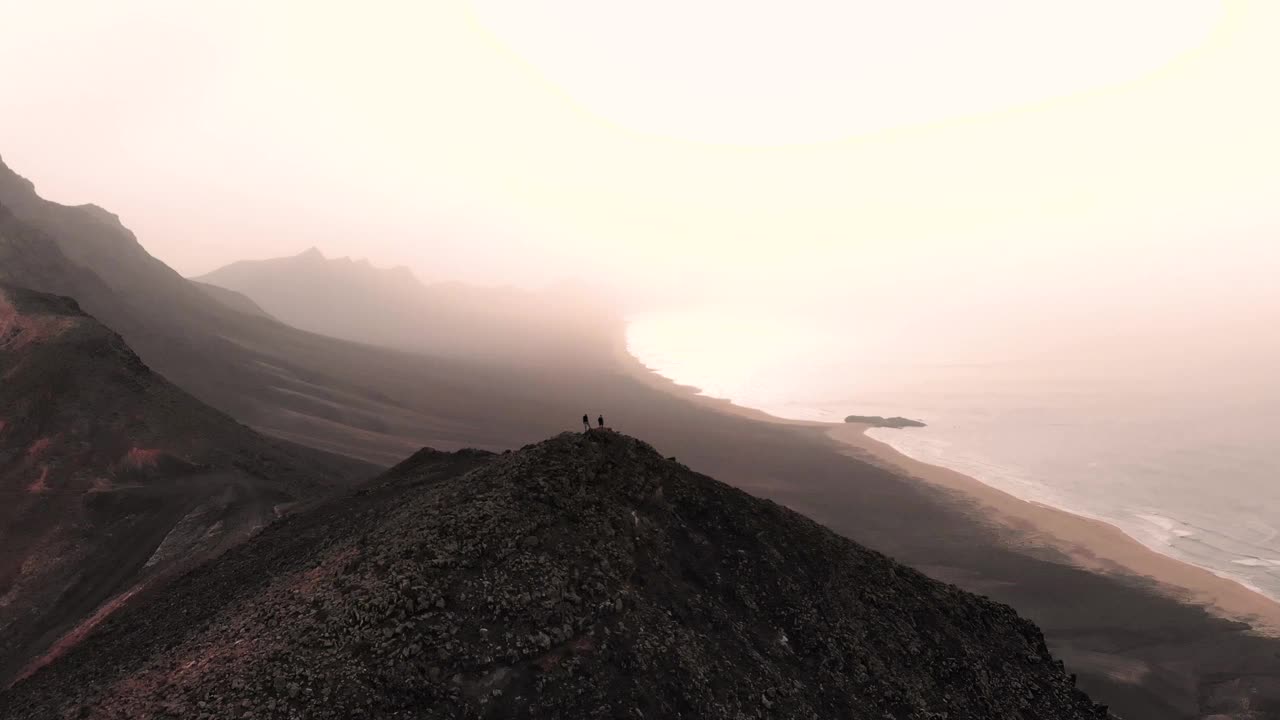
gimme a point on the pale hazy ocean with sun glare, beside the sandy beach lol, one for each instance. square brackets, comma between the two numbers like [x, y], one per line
[1183, 457]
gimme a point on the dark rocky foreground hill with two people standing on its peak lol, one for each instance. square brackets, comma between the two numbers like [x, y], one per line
[583, 577]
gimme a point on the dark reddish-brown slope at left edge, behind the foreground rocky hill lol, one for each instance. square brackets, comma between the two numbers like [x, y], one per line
[111, 477]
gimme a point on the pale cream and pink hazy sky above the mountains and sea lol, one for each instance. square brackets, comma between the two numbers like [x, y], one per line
[989, 153]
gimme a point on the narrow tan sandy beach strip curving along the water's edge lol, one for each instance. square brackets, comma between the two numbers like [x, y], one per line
[1090, 544]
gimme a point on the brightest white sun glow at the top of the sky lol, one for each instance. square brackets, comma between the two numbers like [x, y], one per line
[796, 72]
